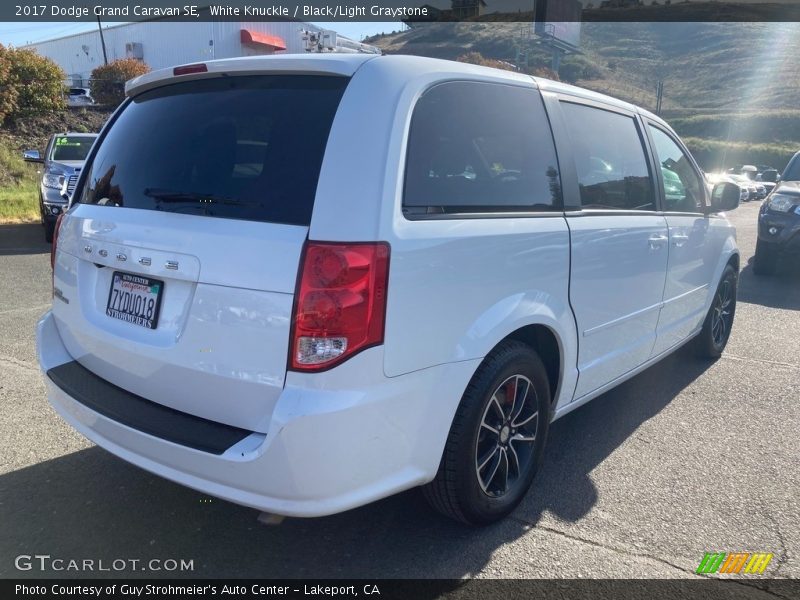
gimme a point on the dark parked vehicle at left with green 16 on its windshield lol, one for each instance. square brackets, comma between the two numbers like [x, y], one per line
[64, 156]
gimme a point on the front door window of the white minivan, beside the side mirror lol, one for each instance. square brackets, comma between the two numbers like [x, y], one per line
[683, 190]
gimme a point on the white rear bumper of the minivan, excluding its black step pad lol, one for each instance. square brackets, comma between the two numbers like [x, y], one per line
[337, 440]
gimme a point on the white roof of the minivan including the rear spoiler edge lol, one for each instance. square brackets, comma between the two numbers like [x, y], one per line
[347, 64]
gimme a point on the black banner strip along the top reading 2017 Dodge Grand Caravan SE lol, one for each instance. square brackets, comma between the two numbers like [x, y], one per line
[409, 11]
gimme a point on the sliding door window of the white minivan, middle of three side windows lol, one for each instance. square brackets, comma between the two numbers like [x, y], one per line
[609, 159]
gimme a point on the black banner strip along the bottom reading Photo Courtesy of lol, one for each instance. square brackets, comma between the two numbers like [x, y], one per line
[744, 587]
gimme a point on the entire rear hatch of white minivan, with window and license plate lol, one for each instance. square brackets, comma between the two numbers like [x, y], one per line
[176, 270]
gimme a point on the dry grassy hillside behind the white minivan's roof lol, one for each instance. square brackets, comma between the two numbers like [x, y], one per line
[723, 82]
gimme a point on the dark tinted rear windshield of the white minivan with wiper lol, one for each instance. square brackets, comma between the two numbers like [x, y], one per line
[246, 147]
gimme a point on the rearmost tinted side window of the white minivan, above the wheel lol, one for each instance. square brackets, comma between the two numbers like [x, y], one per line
[478, 147]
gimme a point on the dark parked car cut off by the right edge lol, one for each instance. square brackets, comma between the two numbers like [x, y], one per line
[779, 221]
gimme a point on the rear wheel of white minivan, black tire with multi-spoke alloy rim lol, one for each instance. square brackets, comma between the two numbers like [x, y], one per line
[496, 442]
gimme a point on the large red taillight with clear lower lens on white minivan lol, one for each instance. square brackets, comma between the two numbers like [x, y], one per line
[340, 304]
